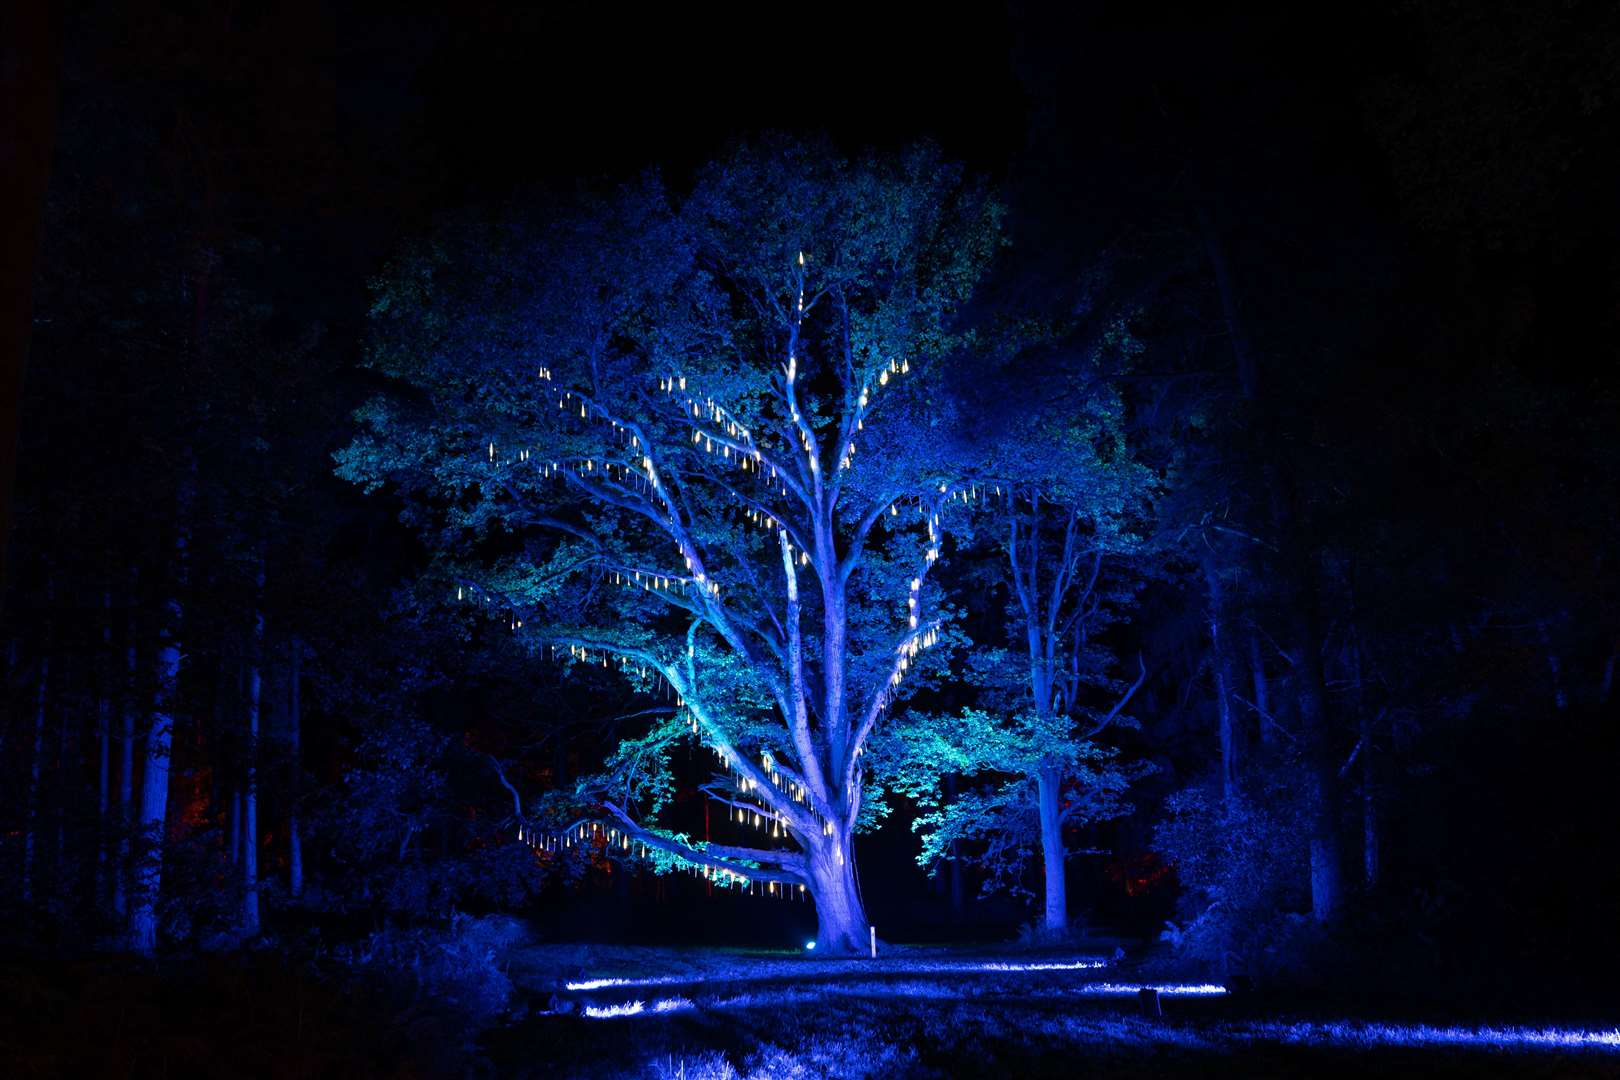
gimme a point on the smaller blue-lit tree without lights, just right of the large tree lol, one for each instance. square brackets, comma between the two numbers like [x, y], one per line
[1070, 522]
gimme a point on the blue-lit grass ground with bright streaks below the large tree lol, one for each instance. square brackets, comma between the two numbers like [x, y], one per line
[936, 1013]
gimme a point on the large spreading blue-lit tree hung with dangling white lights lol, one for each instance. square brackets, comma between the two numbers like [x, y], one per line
[709, 446]
